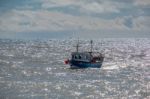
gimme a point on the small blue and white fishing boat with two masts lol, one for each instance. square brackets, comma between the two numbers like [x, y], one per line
[86, 59]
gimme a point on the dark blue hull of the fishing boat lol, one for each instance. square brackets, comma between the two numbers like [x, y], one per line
[80, 64]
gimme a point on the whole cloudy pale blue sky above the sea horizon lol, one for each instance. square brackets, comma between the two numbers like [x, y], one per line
[46, 19]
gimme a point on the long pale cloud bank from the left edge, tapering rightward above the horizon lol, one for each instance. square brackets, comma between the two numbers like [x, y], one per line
[43, 20]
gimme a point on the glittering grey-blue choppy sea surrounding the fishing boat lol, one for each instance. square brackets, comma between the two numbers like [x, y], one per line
[35, 70]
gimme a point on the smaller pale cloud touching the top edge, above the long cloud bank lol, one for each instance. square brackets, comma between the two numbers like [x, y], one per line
[84, 6]
